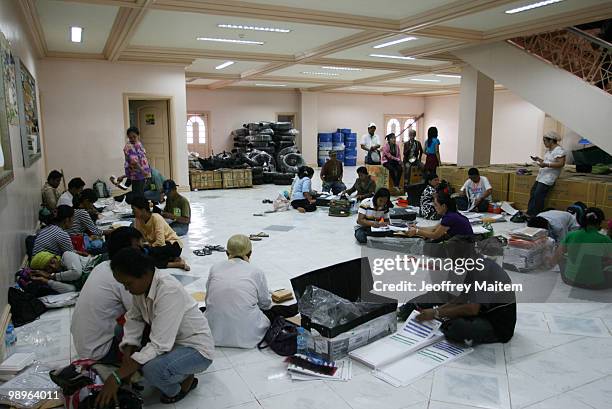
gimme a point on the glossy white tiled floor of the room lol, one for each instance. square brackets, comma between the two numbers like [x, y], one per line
[559, 358]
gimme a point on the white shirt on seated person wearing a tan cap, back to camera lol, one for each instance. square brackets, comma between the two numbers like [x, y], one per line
[236, 292]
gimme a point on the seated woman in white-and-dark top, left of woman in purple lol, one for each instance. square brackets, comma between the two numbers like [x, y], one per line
[373, 212]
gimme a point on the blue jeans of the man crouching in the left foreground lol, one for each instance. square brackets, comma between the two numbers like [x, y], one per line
[168, 371]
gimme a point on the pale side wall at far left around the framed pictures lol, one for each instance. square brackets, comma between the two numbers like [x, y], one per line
[19, 201]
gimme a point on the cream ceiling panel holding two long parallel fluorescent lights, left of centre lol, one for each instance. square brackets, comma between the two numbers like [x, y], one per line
[182, 29]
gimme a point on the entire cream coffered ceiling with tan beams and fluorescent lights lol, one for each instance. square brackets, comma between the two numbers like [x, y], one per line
[389, 47]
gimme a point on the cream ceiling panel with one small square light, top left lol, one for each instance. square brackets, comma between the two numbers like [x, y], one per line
[57, 17]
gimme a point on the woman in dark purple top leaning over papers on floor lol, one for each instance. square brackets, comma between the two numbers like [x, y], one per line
[452, 223]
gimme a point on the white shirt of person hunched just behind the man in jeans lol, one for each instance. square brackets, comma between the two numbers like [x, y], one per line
[101, 302]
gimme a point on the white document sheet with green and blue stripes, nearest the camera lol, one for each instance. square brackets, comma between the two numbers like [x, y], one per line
[415, 366]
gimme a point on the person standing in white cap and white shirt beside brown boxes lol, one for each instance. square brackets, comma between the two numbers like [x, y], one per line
[550, 169]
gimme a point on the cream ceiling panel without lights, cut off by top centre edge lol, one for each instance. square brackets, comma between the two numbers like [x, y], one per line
[391, 9]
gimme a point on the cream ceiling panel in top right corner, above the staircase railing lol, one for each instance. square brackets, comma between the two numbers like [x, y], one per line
[496, 17]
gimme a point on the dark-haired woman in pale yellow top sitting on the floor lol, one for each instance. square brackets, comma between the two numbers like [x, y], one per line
[166, 247]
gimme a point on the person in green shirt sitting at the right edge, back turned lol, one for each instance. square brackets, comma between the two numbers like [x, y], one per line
[586, 255]
